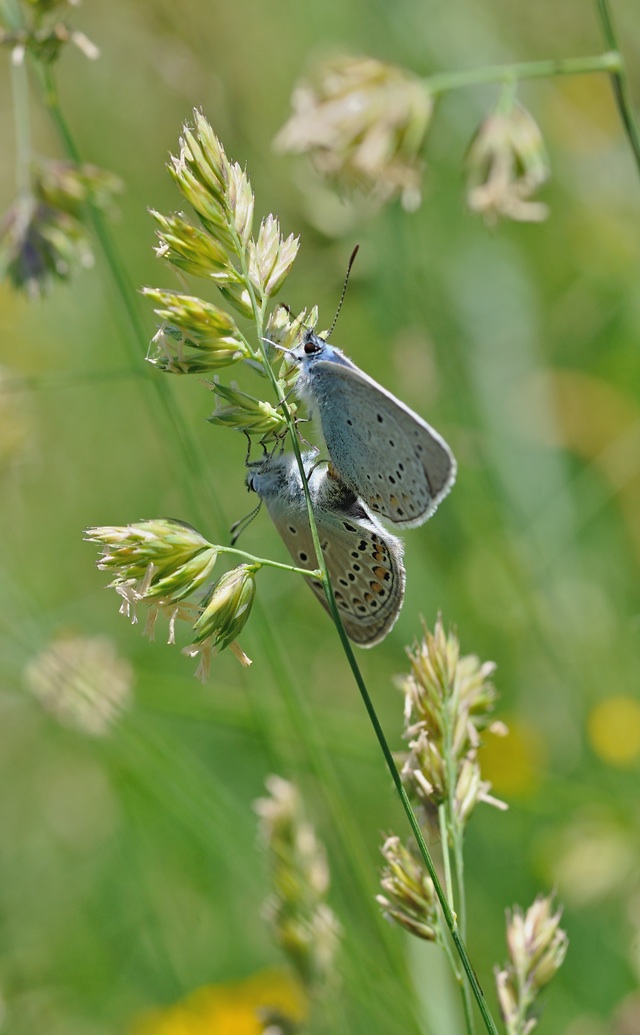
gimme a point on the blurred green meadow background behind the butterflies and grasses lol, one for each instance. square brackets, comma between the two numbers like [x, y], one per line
[130, 871]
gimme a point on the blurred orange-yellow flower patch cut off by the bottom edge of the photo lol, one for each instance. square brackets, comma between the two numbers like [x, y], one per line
[227, 1010]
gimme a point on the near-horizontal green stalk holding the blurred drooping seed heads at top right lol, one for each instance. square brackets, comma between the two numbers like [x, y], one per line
[609, 63]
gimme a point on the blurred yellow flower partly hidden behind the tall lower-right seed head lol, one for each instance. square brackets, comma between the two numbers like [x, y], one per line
[513, 764]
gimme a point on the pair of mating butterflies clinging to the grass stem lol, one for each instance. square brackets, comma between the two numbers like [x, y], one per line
[386, 461]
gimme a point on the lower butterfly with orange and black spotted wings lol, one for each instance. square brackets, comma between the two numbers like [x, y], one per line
[364, 560]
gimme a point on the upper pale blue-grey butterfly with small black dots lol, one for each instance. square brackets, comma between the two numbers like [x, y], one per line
[384, 452]
